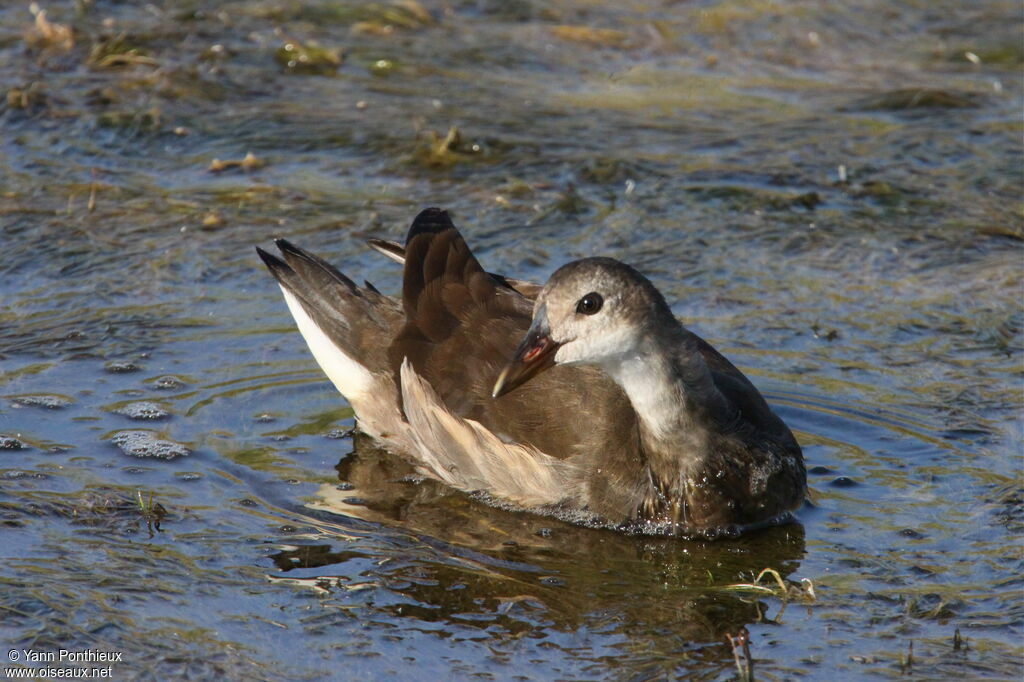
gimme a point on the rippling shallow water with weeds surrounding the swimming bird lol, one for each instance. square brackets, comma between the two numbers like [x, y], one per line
[831, 195]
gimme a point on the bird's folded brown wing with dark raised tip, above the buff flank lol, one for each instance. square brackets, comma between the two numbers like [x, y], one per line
[463, 325]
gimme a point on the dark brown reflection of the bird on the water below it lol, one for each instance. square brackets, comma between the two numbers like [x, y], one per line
[655, 591]
